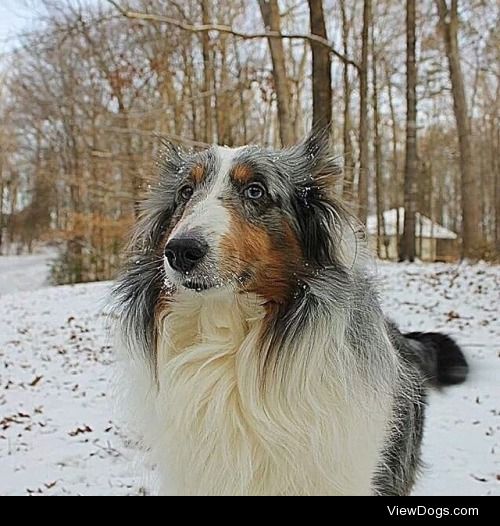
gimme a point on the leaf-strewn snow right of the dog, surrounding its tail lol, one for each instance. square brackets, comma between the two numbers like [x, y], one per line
[462, 438]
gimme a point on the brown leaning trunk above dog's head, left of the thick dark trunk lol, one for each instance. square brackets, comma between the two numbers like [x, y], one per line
[272, 20]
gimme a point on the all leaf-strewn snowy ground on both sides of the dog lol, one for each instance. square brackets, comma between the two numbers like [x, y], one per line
[58, 435]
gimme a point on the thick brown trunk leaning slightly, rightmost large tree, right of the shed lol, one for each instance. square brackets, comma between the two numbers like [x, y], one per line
[471, 220]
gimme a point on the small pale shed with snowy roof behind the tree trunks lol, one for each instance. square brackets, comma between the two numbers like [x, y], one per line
[434, 241]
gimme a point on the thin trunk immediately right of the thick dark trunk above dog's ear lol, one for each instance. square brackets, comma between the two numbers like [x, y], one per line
[348, 181]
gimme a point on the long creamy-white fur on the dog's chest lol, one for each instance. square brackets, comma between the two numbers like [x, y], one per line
[313, 428]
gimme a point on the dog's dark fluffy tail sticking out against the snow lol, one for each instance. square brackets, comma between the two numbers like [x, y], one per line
[440, 358]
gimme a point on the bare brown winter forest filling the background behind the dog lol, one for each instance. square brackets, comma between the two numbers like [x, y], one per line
[410, 92]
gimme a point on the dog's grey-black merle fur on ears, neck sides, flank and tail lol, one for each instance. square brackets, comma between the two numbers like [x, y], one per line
[298, 181]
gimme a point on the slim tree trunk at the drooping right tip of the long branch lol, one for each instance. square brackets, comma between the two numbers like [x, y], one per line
[363, 117]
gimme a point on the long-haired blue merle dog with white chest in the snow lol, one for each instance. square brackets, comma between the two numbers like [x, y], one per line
[259, 359]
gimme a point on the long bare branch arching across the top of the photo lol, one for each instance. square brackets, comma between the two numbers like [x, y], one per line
[221, 28]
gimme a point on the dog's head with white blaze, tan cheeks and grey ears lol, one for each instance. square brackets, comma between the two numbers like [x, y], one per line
[245, 219]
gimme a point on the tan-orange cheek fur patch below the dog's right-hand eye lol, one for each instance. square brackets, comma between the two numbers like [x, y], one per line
[248, 247]
